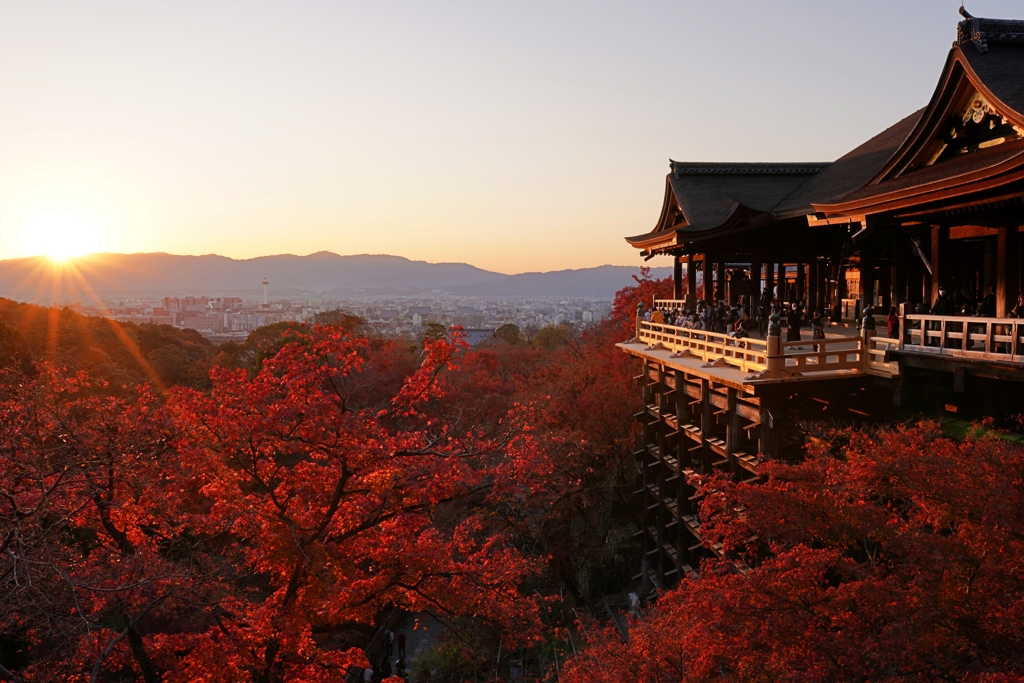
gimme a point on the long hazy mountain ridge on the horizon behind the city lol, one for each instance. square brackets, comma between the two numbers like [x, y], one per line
[147, 275]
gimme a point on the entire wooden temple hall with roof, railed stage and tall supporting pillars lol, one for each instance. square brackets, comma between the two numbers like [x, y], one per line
[935, 201]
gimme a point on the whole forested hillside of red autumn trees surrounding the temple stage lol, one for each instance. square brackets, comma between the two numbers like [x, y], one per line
[175, 511]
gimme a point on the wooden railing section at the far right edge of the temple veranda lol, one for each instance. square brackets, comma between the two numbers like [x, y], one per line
[998, 339]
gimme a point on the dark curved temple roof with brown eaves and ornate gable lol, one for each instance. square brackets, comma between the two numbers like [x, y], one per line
[985, 71]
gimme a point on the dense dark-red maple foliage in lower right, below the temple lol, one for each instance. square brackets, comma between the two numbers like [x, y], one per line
[902, 558]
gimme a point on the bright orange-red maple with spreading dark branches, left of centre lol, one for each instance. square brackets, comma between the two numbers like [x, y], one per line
[330, 510]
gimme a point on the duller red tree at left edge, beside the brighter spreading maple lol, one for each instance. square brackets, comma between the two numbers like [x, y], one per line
[84, 562]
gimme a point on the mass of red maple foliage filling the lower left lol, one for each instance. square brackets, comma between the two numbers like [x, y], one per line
[282, 510]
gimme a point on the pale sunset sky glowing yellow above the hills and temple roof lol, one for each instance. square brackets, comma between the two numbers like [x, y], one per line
[515, 137]
